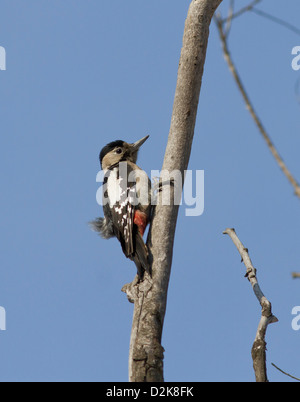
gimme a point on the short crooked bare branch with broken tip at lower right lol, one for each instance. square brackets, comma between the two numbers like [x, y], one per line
[259, 346]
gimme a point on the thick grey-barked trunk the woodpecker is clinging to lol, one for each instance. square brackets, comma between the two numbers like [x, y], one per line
[150, 296]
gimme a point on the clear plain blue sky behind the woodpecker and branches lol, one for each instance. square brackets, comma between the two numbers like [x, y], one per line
[83, 73]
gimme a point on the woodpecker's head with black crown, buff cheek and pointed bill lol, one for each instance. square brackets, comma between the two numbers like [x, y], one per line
[119, 151]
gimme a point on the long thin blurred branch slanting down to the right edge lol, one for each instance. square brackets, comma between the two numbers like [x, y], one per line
[252, 111]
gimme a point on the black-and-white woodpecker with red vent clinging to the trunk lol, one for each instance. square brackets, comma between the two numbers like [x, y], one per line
[126, 201]
